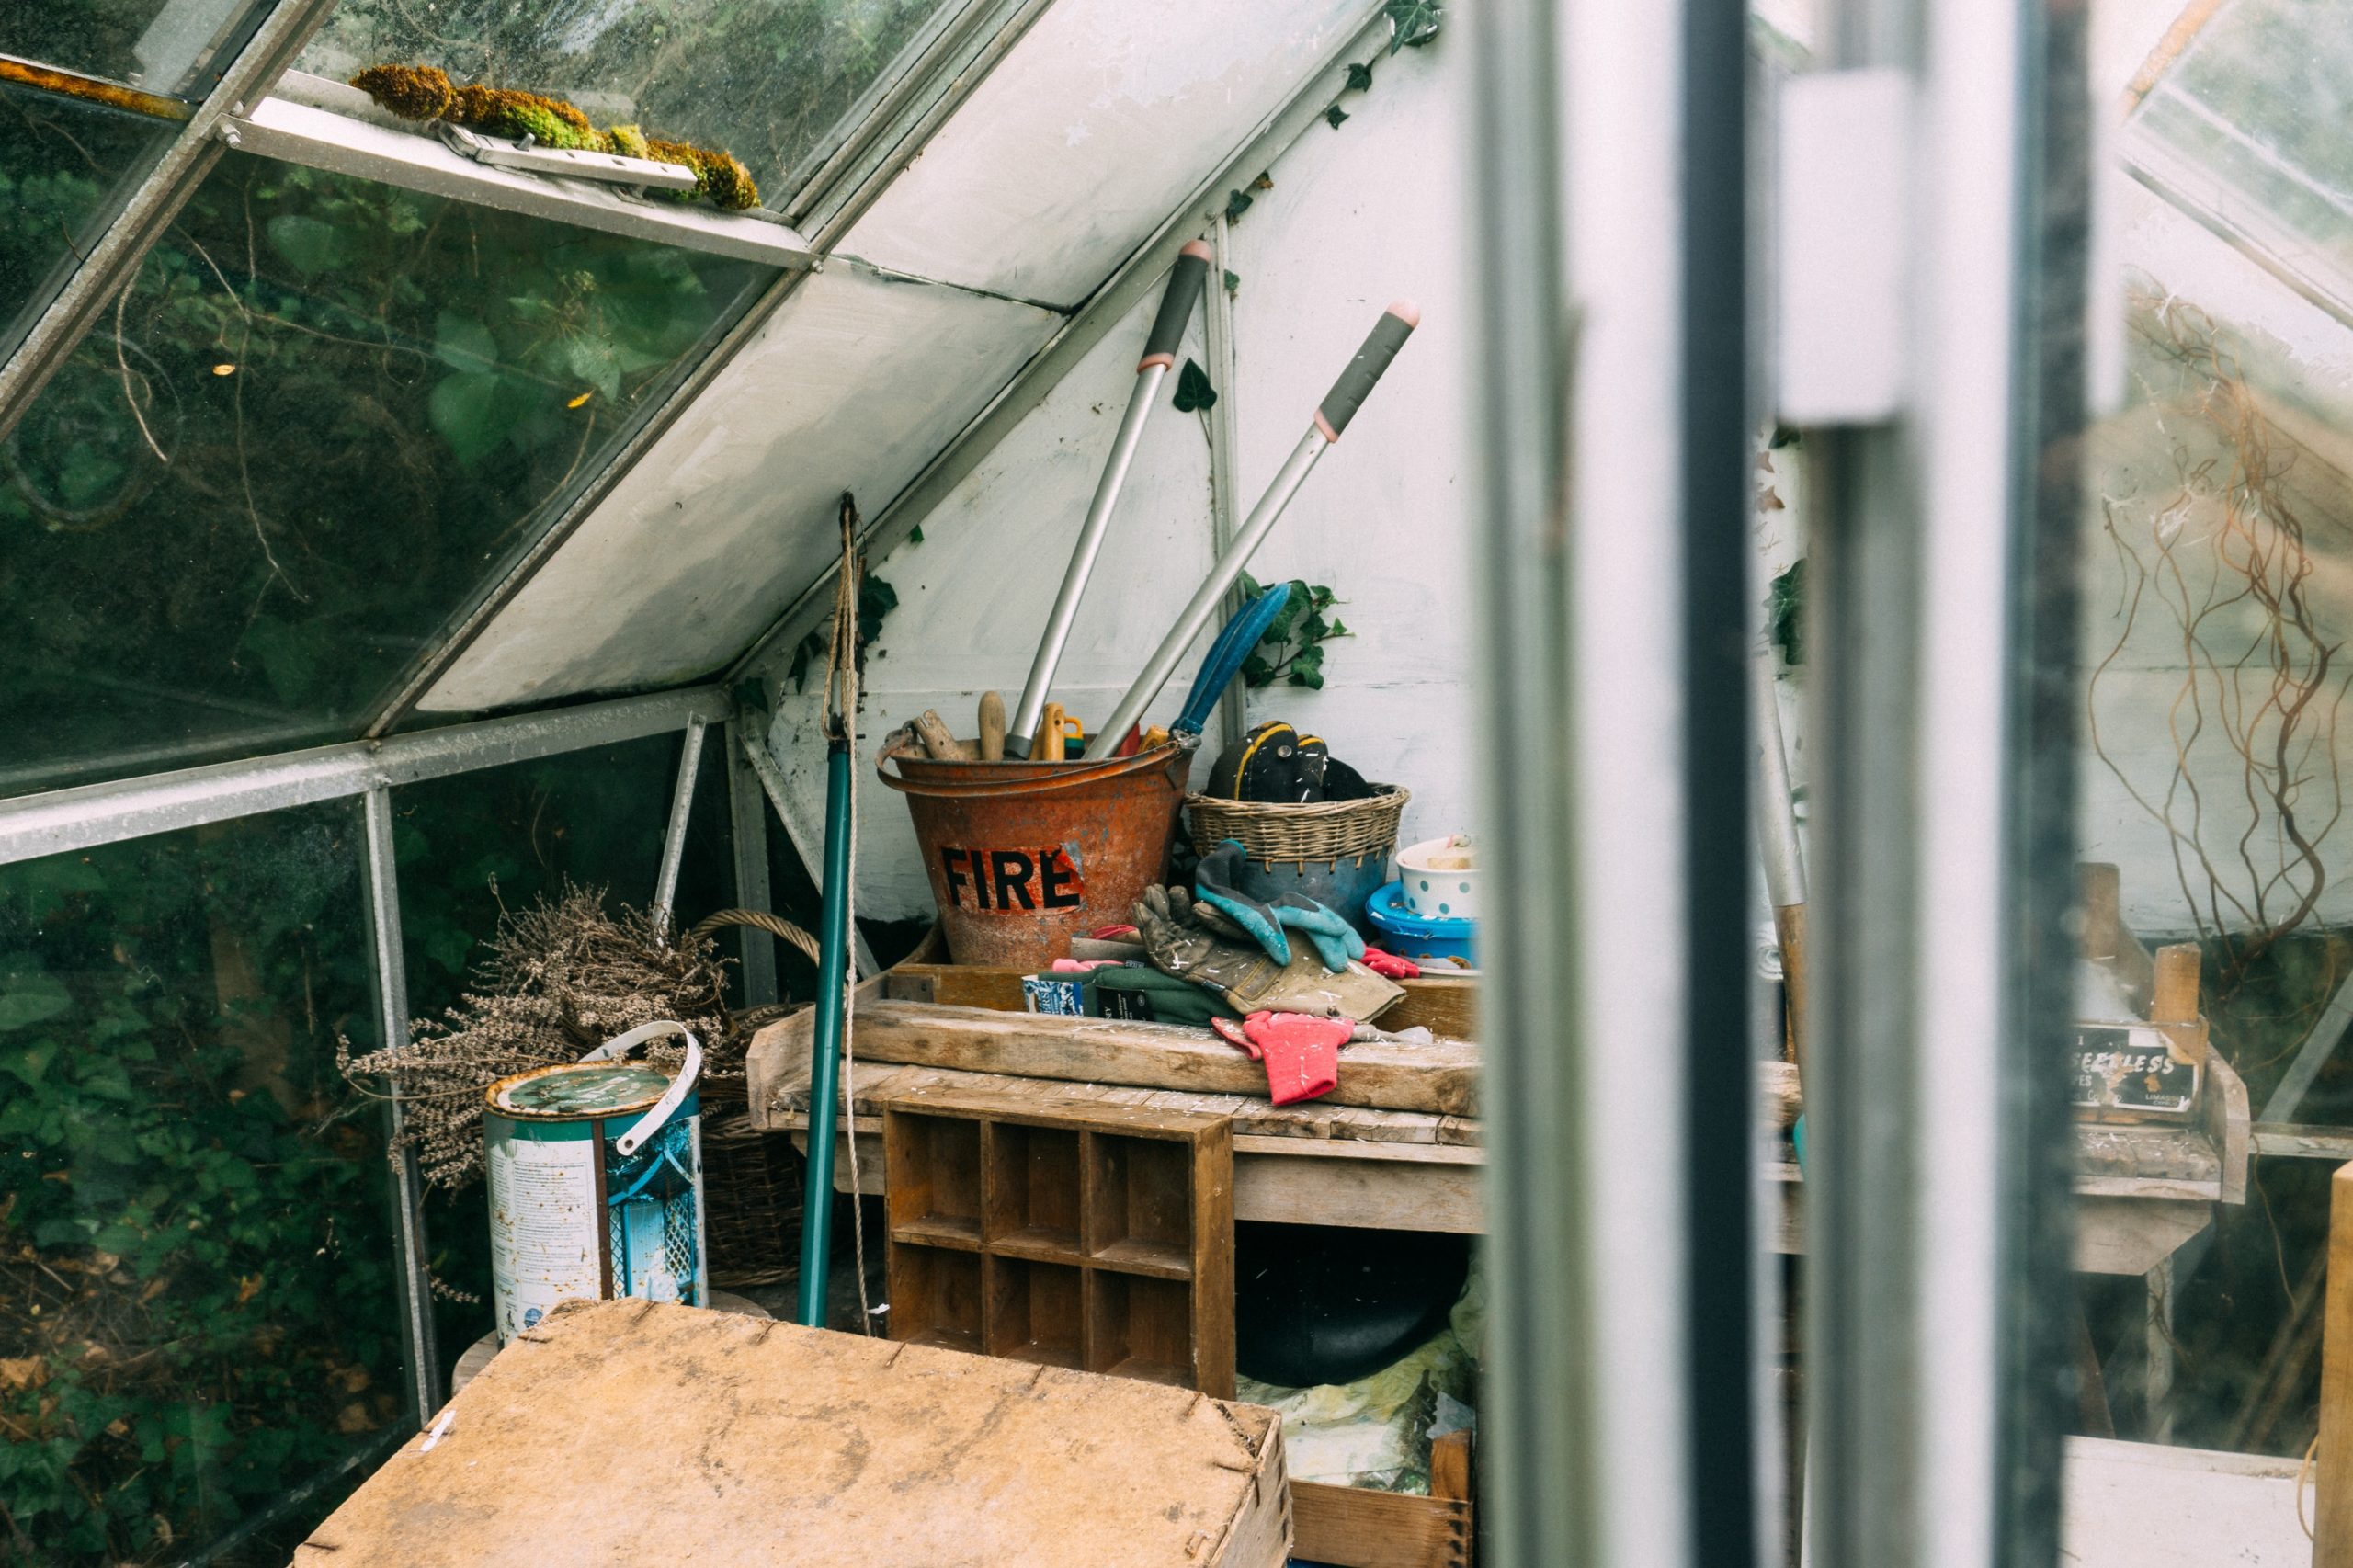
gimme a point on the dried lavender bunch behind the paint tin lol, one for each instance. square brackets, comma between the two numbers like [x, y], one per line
[561, 981]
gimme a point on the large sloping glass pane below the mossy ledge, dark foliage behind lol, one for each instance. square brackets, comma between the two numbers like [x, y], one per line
[324, 420]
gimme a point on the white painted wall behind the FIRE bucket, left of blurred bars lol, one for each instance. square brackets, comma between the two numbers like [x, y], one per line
[1357, 218]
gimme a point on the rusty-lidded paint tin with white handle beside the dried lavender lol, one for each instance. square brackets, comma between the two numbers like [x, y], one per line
[596, 1183]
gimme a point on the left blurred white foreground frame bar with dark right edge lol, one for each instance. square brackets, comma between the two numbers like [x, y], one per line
[1604, 138]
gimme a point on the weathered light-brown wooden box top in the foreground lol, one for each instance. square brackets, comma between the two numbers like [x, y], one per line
[853, 1451]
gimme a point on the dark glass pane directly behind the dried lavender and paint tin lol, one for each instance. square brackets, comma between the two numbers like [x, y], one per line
[481, 844]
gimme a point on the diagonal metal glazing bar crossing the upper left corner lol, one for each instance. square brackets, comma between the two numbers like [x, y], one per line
[152, 206]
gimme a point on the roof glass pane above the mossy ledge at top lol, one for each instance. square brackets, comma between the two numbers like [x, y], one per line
[761, 79]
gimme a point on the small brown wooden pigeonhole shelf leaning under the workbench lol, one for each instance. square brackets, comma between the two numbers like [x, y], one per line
[1088, 1237]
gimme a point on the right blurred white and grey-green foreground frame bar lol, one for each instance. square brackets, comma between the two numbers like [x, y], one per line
[1938, 1174]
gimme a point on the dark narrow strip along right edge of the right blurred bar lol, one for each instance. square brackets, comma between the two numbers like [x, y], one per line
[2034, 1204]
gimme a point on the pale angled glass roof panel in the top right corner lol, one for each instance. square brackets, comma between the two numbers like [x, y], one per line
[2251, 133]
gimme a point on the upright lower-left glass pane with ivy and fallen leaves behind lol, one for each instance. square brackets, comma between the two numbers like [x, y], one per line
[199, 1298]
